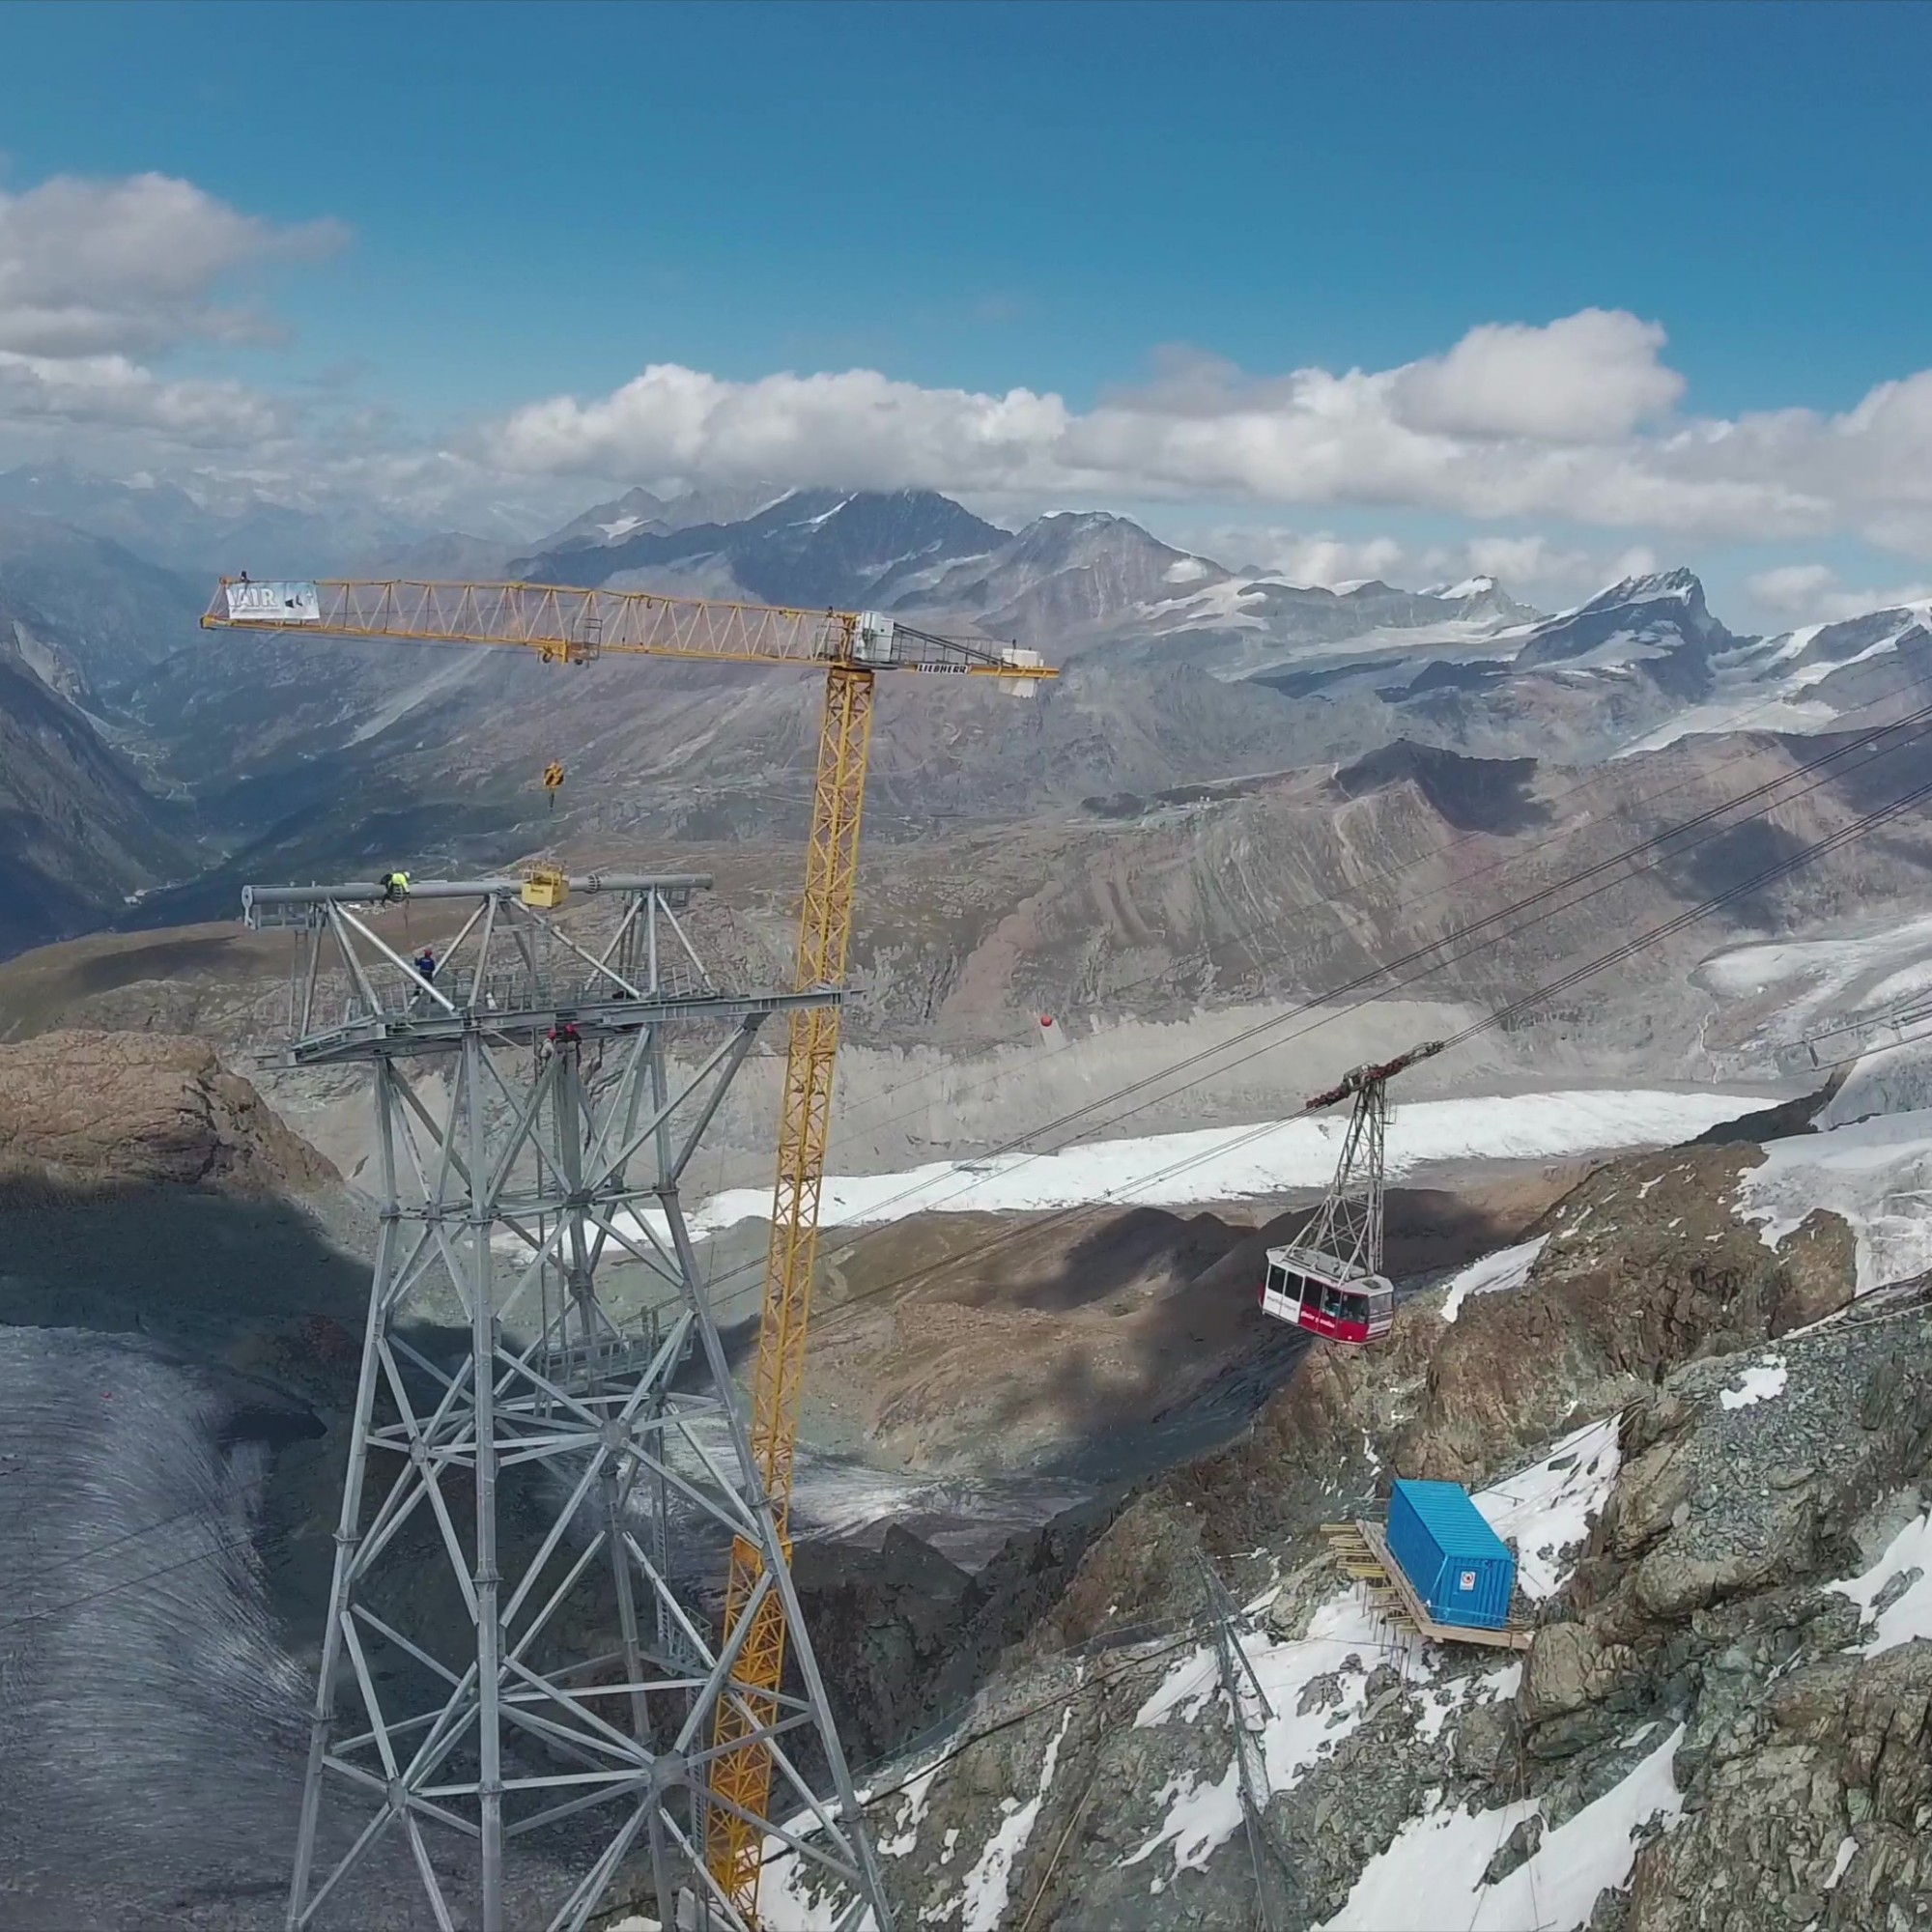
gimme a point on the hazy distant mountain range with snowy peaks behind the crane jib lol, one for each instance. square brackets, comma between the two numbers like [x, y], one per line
[1183, 677]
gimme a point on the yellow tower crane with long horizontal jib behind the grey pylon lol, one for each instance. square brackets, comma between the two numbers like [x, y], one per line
[577, 627]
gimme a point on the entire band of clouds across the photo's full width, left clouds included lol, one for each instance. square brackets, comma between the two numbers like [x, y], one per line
[1576, 422]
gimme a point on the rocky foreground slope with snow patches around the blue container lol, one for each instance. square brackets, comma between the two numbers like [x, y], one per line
[1715, 1475]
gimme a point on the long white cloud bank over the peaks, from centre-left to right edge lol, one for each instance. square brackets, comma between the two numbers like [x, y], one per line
[1512, 422]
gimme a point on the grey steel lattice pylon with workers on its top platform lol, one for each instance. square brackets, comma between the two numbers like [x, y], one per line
[550, 1145]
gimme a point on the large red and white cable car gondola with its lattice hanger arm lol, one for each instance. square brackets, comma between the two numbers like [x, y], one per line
[1330, 1280]
